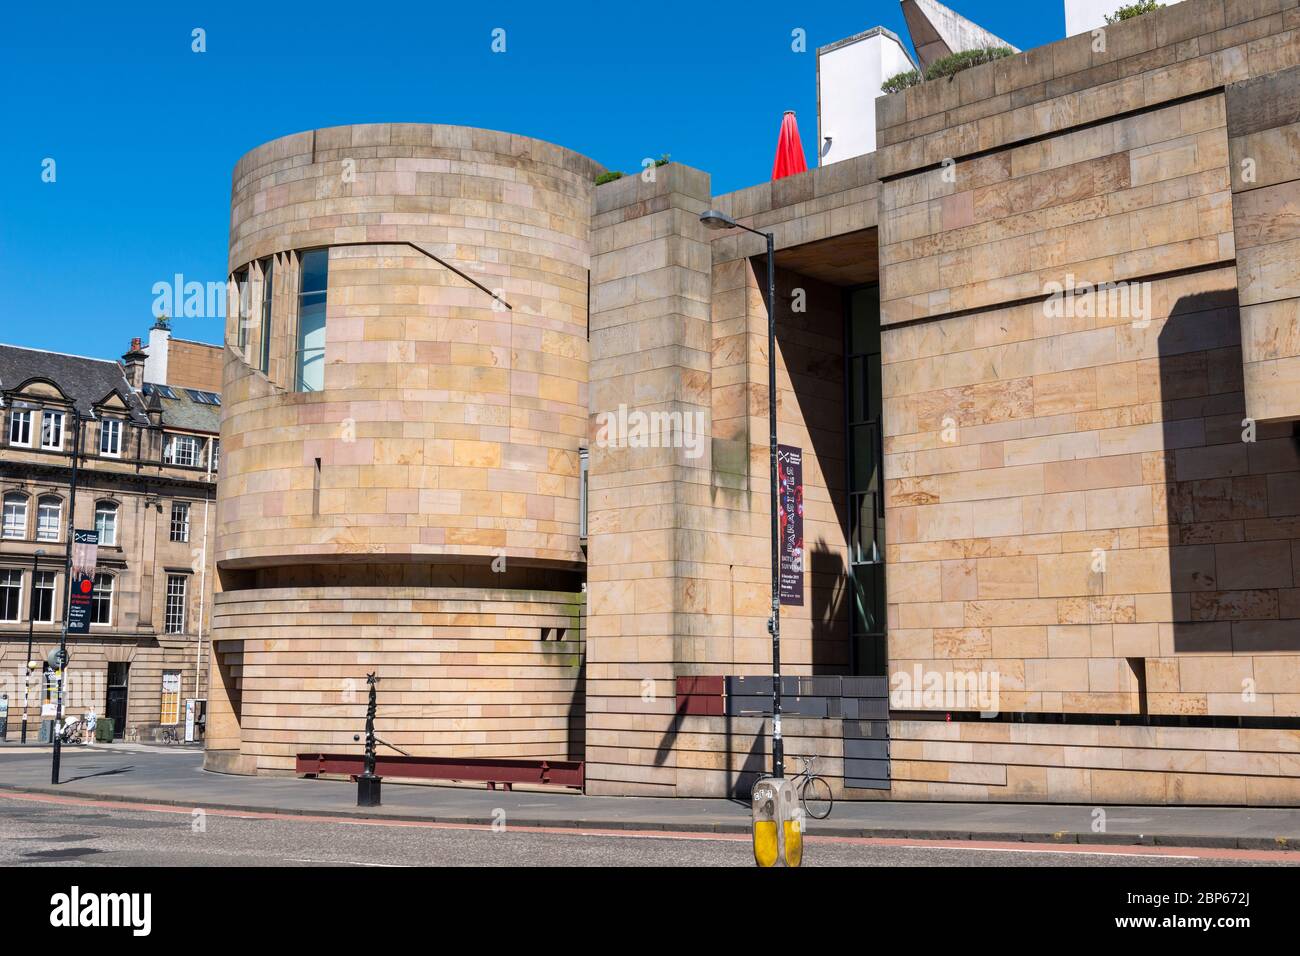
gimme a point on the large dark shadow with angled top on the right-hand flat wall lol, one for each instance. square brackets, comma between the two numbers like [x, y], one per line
[1232, 503]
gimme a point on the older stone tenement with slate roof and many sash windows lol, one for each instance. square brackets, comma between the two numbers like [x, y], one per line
[145, 485]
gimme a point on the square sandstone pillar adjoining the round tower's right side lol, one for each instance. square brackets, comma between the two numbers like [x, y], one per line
[651, 357]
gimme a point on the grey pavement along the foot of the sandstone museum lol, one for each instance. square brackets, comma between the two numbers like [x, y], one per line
[175, 777]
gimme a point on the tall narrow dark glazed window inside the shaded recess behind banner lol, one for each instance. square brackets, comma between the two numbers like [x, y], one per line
[866, 499]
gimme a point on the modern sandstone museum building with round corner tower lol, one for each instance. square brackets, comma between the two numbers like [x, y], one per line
[1063, 526]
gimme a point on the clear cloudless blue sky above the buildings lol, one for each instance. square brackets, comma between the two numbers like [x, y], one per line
[145, 132]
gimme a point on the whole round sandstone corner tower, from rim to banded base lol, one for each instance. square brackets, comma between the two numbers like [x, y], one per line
[405, 403]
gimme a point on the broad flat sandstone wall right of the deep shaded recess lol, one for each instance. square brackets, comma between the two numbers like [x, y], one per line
[1081, 491]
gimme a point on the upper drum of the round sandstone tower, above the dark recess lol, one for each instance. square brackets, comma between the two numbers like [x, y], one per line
[450, 421]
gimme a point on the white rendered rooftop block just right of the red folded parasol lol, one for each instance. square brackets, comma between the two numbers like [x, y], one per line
[850, 80]
